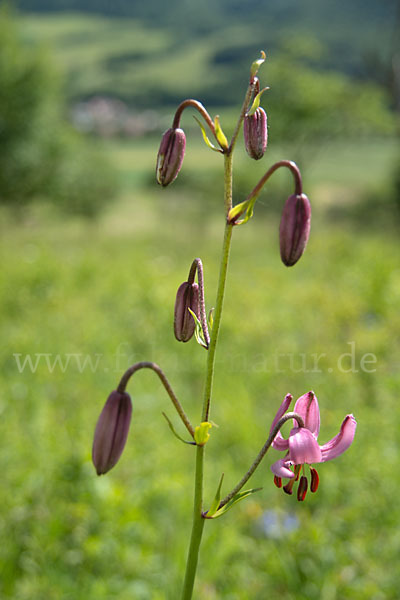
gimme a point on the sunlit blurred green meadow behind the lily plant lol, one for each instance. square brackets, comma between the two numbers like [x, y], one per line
[103, 292]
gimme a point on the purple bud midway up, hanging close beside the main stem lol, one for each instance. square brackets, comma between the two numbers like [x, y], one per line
[187, 297]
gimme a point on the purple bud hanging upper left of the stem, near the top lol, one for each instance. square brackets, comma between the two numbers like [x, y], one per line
[170, 156]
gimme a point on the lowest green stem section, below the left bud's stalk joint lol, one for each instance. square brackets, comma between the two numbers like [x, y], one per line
[197, 527]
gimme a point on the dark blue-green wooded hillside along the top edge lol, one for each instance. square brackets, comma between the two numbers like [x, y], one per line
[348, 29]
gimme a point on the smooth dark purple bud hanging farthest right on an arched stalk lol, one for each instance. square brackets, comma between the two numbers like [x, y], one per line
[294, 228]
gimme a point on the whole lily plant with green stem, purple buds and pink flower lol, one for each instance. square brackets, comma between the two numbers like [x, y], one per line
[301, 448]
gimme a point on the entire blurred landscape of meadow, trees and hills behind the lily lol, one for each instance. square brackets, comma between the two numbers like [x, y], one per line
[92, 252]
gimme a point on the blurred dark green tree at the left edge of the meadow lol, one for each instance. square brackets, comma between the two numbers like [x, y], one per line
[40, 155]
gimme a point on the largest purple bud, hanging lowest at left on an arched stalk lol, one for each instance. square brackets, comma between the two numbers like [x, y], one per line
[111, 431]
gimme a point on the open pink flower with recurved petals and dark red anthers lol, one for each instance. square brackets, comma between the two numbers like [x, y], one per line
[302, 446]
